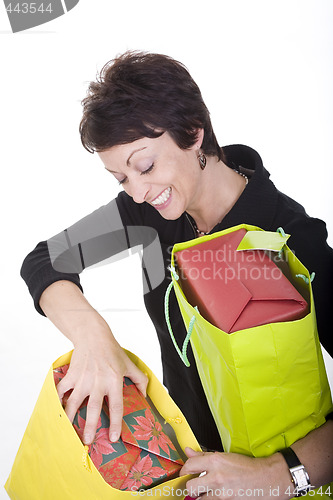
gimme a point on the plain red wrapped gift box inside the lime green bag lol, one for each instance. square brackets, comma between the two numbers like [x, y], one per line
[235, 290]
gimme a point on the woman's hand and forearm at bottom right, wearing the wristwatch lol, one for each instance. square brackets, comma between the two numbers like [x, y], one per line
[269, 476]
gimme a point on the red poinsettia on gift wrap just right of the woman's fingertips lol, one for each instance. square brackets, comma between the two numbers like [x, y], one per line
[151, 430]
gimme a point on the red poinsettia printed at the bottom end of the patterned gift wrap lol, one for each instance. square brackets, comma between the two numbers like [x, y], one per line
[142, 474]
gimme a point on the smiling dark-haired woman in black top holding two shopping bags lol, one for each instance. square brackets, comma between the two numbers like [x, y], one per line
[146, 119]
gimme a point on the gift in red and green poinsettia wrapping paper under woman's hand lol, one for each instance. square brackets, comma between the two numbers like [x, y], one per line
[144, 455]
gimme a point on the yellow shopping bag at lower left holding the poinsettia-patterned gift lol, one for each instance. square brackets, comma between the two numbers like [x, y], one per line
[52, 462]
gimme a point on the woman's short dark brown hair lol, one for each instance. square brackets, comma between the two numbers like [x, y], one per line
[141, 94]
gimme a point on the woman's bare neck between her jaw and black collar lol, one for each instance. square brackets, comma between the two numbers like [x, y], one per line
[218, 192]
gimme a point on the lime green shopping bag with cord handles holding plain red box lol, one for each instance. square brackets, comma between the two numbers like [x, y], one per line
[266, 386]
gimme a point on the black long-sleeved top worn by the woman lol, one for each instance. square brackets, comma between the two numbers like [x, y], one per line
[123, 223]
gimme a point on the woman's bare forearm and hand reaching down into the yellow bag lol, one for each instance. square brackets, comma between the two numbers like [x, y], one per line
[98, 363]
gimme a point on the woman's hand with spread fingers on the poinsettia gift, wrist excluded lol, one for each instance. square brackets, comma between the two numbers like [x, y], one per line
[97, 368]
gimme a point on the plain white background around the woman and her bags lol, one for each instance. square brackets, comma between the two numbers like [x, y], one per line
[265, 71]
